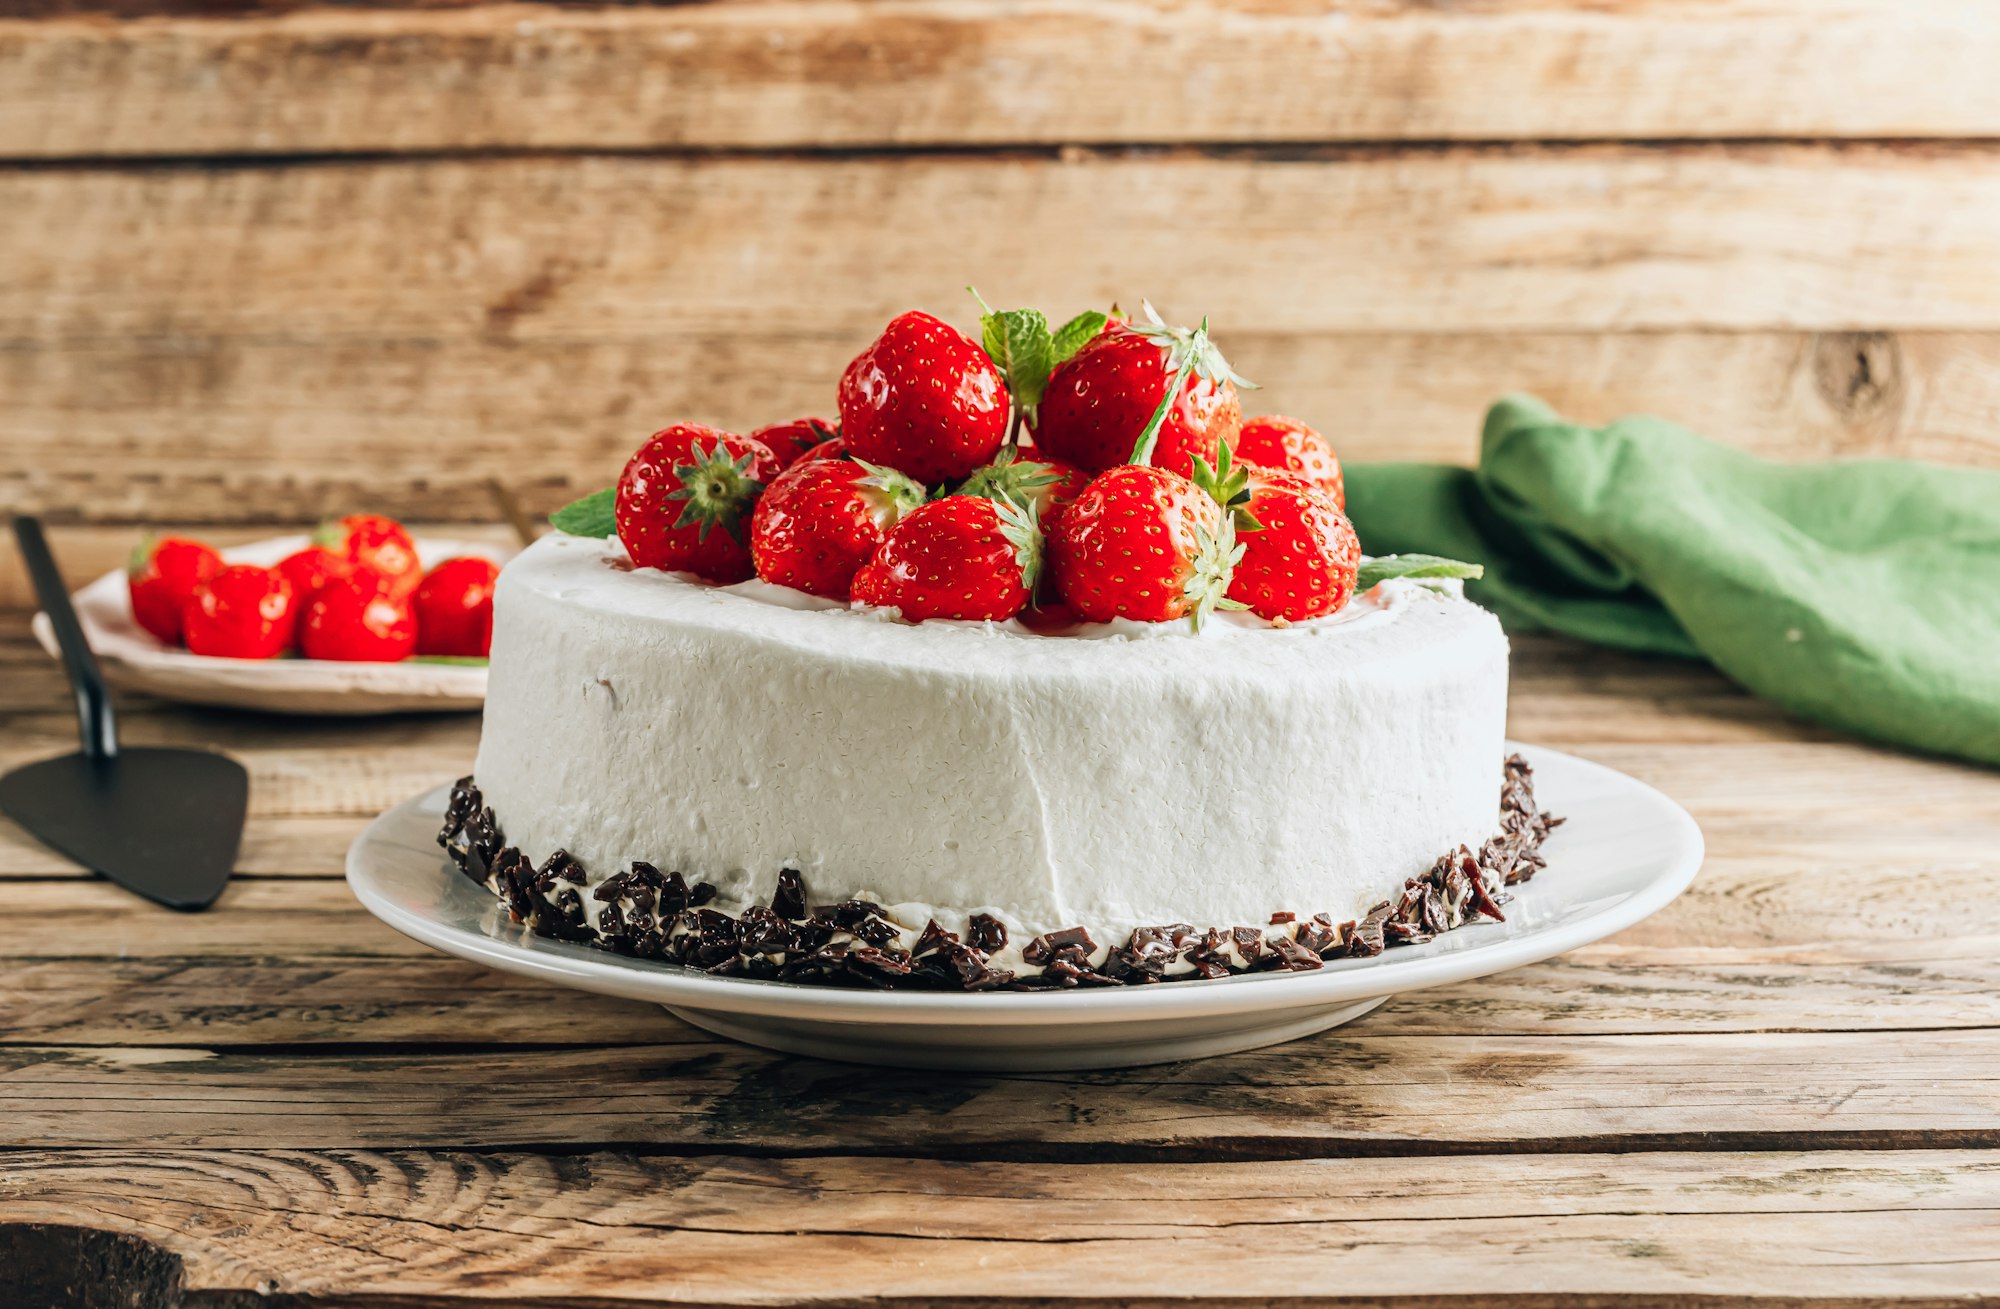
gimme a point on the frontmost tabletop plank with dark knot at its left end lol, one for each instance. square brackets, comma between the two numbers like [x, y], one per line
[1611, 1232]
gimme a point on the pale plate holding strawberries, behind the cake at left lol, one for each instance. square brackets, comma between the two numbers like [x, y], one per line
[135, 660]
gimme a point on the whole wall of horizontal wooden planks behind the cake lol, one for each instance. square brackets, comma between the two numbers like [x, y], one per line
[269, 261]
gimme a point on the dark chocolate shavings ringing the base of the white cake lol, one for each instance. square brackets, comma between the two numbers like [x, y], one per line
[853, 944]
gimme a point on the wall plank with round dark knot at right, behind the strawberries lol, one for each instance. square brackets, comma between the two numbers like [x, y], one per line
[225, 431]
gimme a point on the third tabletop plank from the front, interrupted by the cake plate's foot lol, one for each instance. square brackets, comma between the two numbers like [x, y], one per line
[1611, 990]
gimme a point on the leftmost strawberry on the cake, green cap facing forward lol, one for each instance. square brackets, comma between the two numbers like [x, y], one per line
[685, 501]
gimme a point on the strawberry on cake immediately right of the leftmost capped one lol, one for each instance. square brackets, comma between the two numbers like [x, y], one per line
[823, 519]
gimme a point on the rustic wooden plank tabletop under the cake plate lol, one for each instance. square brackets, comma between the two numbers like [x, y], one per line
[1781, 1090]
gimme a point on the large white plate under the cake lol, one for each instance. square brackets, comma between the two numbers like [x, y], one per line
[1623, 854]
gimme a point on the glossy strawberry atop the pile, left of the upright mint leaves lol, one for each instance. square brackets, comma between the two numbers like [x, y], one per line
[923, 399]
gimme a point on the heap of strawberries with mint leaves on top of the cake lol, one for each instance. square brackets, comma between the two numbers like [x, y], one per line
[1115, 449]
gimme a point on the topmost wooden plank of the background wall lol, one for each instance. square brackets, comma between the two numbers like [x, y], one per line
[965, 73]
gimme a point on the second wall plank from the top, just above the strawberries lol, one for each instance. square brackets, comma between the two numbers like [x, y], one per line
[749, 249]
